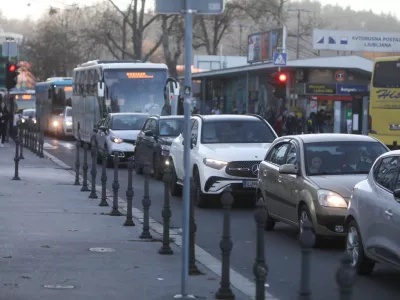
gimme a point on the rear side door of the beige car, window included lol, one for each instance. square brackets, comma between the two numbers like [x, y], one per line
[269, 176]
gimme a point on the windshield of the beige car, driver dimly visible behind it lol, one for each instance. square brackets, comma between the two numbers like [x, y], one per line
[341, 158]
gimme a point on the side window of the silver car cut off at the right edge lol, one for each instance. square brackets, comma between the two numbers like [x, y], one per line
[387, 172]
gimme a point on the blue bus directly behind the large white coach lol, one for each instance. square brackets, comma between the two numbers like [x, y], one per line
[52, 96]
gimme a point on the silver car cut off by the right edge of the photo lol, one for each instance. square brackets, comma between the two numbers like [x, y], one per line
[373, 217]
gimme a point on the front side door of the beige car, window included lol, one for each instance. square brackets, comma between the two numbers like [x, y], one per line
[290, 186]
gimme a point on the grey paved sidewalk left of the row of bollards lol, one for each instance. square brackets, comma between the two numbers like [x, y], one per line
[47, 228]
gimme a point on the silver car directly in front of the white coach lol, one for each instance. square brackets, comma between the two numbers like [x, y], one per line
[117, 133]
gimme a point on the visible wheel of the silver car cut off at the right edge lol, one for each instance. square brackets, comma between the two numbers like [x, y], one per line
[355, 249]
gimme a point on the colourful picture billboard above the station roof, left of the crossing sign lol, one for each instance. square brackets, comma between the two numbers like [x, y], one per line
[260, 46]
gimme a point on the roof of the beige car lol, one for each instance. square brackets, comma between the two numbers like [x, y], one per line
[331, 137]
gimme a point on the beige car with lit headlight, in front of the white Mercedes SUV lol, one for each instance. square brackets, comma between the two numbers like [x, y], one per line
[310, 177]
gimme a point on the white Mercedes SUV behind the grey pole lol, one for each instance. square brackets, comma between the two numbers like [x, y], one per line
[226, 150]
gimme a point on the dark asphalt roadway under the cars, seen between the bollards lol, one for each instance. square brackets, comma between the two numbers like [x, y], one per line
[282, 247]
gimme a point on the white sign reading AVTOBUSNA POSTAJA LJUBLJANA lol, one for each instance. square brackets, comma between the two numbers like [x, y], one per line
[363, 41]
